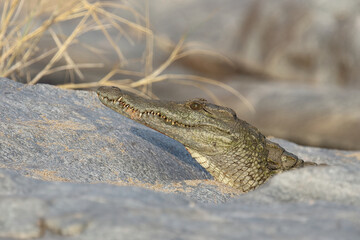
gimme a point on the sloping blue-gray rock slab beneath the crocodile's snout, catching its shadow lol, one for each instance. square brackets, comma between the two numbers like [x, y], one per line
[84, 142]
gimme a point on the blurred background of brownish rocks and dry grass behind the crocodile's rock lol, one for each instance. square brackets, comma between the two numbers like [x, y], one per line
[289, 67]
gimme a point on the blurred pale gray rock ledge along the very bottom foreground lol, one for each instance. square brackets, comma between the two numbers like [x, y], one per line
[94, 211]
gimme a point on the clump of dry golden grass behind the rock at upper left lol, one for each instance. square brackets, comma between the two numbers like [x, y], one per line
[23, 25]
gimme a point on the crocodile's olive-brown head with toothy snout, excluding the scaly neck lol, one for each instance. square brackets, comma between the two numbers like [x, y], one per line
[197, 124]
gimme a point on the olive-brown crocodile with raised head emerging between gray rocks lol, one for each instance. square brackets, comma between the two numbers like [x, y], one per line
[230, 149]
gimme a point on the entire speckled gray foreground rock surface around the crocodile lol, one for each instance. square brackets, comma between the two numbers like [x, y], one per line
[73, 169]
